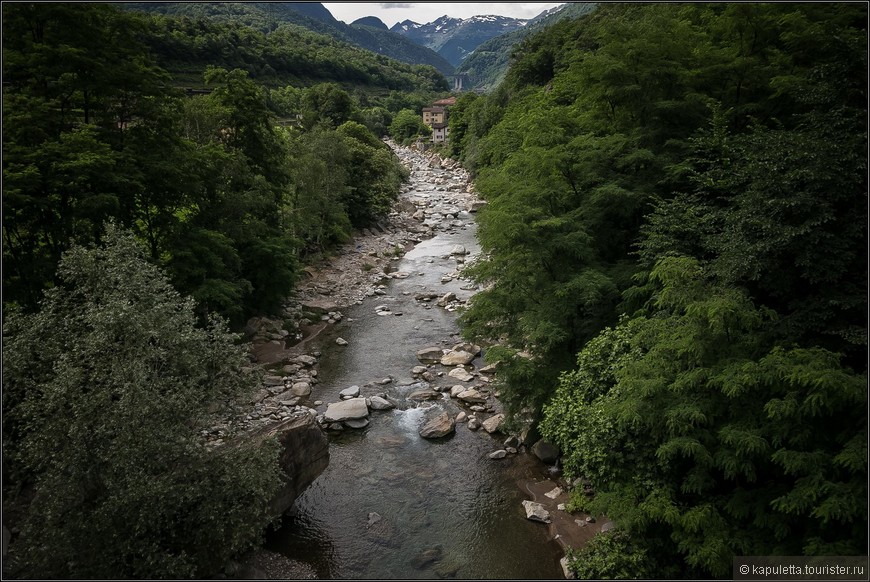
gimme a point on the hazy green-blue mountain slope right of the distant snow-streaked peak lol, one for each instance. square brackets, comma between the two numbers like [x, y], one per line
[487, 65]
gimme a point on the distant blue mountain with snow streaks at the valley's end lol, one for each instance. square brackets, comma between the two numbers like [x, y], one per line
[455, 38]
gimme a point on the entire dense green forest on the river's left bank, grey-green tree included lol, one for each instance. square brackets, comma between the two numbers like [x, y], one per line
[133, 212]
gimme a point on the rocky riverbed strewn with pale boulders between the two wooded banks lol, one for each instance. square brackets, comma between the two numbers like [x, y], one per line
[335, 358]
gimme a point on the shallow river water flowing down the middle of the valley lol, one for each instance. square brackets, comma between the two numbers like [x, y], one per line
[392, 504]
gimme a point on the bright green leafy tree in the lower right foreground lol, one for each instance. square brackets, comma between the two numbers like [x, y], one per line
[704, 439]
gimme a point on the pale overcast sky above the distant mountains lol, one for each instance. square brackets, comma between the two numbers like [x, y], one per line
[424, 12]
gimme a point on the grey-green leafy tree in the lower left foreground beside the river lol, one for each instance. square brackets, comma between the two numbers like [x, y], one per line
[105, 417]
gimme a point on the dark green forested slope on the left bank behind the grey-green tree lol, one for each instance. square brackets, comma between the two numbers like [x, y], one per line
[224, 199]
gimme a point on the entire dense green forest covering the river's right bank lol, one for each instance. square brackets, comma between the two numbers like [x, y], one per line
[675, 281]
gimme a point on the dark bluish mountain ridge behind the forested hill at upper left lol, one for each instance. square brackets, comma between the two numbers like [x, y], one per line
[266, 16]
